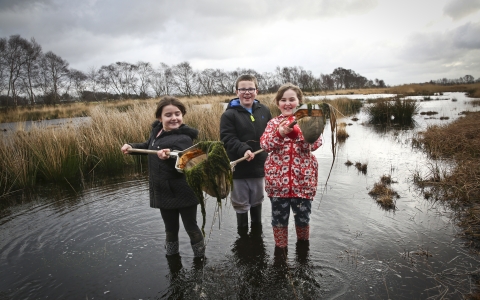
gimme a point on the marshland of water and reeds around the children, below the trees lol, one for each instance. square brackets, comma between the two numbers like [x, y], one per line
[403, 224]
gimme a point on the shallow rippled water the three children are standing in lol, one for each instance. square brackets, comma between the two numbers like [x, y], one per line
[105, 242]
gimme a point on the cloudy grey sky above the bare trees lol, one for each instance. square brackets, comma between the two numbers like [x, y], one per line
[399, 41]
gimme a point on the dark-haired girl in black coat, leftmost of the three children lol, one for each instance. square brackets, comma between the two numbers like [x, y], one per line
[168, 188]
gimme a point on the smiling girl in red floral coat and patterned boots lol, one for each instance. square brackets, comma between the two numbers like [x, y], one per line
[291, 170]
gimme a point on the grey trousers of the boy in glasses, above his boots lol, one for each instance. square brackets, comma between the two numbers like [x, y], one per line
[247, 193]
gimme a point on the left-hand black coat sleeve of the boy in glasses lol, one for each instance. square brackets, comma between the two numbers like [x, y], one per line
[228, 135]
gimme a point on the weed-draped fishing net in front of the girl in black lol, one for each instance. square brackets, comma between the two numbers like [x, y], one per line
[209, 172]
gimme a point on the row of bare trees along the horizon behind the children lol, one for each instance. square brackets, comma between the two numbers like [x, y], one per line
[29, 76]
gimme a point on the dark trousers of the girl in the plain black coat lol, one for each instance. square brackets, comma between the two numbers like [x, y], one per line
[189, 220]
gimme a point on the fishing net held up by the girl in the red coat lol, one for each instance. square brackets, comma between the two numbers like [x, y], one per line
[311, 120]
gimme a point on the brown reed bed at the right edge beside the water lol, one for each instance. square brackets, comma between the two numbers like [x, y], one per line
[459, 185]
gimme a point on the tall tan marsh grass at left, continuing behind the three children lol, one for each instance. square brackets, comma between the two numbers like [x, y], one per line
[72, 152]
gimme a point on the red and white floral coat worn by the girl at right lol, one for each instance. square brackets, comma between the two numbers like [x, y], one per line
[291, 169]
